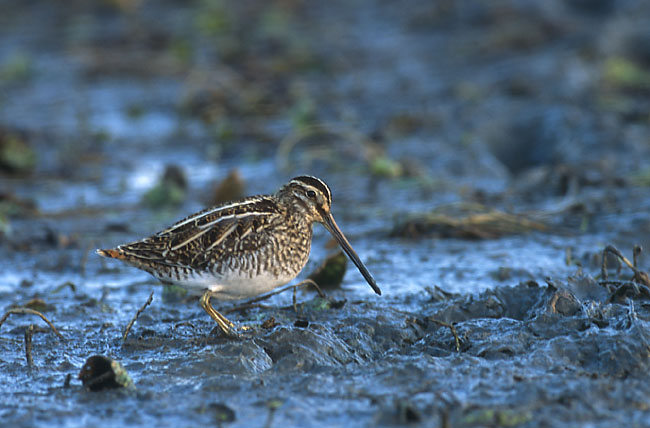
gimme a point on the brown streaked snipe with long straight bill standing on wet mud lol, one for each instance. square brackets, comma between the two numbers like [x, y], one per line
[240, 249]
